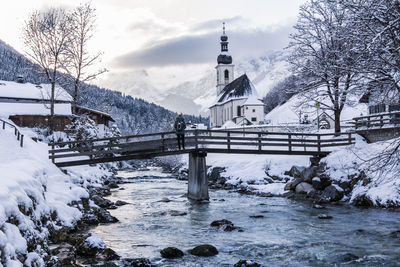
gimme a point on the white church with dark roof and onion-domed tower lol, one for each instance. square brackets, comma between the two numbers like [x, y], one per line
[237, 99]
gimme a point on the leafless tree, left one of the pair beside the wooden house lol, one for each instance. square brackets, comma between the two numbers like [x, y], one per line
[46, 38]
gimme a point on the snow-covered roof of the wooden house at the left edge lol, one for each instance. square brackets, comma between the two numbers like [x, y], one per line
[7, 109]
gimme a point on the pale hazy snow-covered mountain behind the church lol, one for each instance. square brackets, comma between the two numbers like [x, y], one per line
[196, 95]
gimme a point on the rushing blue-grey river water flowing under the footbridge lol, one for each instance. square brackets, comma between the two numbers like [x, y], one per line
[289, 234]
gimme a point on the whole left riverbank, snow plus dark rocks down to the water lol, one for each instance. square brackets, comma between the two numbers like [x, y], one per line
[43, 208]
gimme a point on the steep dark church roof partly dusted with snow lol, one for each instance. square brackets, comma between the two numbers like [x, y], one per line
[239, 88]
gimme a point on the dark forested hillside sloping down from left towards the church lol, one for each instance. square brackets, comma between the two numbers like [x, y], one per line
[132, 115]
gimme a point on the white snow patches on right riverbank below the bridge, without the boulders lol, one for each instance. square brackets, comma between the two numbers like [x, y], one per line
[257, 172]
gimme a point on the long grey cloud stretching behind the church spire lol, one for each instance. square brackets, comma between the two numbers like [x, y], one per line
[204, 48]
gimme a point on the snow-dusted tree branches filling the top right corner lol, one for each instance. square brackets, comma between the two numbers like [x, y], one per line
[378, 25]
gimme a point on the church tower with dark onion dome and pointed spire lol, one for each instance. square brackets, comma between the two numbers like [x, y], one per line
[225, 66]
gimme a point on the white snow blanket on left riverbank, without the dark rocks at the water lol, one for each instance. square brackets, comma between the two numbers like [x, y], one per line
[35, 196]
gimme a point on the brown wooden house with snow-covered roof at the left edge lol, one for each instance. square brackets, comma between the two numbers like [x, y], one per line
[28, 105]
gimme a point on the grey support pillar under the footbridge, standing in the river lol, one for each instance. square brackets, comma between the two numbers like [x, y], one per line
[198, 182]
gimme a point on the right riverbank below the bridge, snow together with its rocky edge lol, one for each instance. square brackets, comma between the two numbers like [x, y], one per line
[346, 168]
